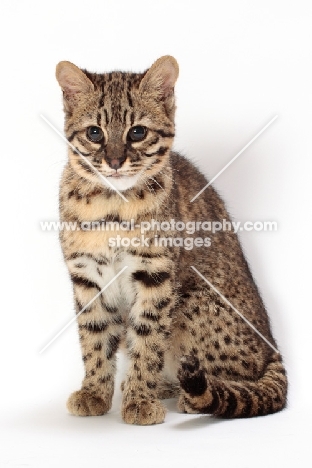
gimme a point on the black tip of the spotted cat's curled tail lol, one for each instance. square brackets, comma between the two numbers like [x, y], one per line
[192, 378]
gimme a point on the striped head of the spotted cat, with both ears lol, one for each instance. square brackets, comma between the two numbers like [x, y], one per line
[122, 124]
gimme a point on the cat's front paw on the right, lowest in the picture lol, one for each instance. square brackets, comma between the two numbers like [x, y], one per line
[143, 412]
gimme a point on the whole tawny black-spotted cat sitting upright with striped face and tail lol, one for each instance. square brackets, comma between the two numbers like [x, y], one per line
[183, 339]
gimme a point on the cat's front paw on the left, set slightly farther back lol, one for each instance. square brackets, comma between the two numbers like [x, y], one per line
[83, 403]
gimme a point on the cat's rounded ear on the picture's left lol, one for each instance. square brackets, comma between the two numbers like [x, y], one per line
[73, 82]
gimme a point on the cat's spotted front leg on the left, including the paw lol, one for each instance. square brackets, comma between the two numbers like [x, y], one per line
[100, 328]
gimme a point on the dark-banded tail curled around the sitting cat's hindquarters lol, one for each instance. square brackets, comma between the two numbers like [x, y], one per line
[229, 398]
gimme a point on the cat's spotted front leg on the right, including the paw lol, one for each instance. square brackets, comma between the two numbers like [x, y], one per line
[148, 334]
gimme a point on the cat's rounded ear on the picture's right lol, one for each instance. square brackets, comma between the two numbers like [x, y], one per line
[160, 79]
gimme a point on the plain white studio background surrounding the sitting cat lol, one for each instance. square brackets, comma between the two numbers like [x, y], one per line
[241, 63]
